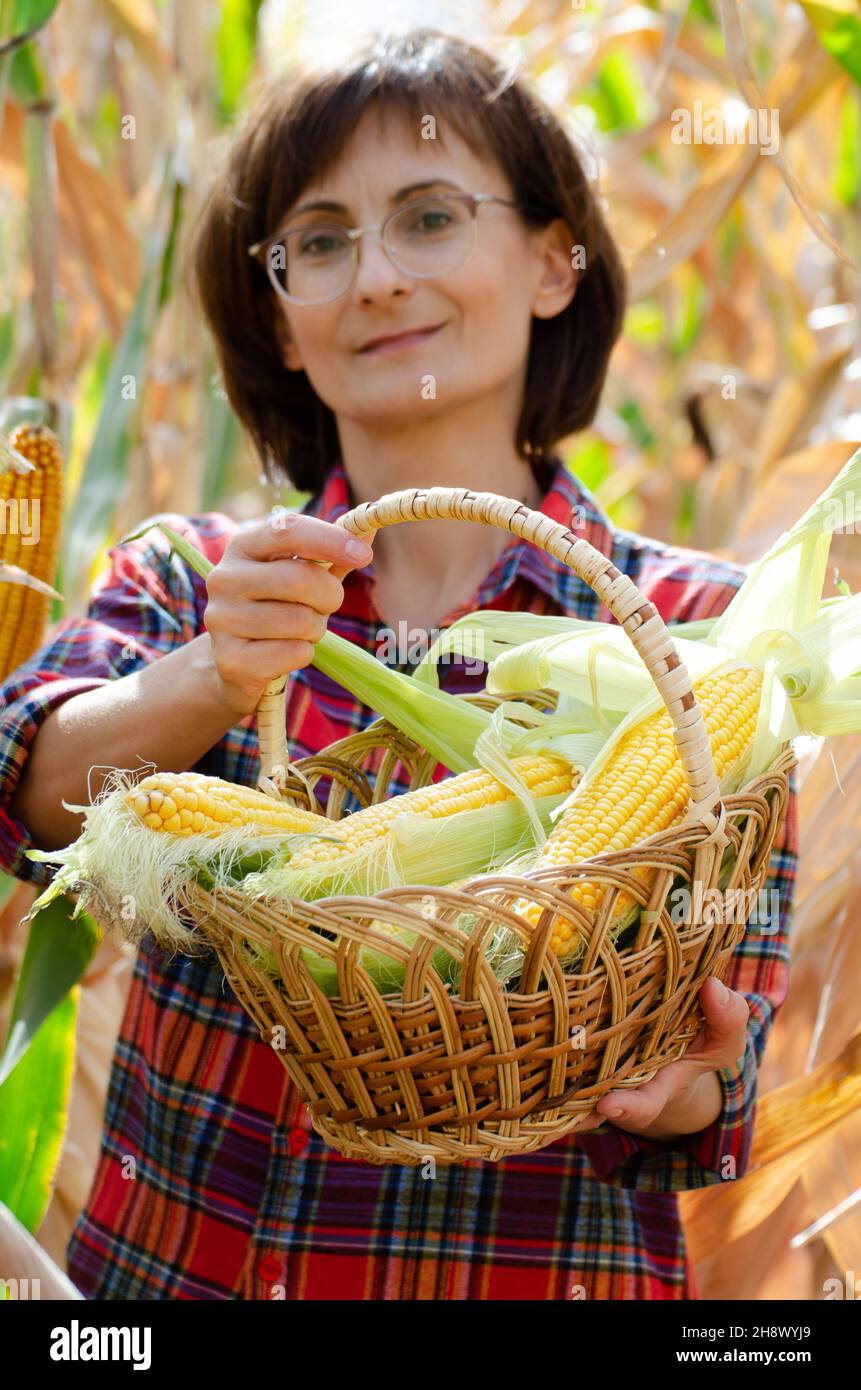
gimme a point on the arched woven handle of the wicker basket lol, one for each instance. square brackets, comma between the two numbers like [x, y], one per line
[629, 607]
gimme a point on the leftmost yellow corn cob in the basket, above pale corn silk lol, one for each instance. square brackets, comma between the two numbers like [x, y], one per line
[191, 804]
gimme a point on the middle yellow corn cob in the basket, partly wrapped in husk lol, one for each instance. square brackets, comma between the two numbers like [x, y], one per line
[543, 776]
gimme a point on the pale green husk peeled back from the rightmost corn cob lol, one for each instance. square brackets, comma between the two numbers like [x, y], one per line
[807, 648]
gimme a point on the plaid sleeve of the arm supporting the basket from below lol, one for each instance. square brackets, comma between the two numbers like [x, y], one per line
[760, 971]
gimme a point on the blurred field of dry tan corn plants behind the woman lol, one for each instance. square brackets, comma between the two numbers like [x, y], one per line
[732, 401]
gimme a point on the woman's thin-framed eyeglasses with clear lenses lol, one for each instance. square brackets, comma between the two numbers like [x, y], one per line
[316, 263]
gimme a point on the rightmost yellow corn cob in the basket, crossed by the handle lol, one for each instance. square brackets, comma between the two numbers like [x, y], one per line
[642, 790]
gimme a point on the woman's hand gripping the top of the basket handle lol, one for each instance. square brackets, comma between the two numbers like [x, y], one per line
[269, 603]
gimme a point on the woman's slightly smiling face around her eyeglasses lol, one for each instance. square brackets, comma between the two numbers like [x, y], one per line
[482, 313]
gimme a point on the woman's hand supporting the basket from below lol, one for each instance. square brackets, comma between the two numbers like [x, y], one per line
[686, 1096]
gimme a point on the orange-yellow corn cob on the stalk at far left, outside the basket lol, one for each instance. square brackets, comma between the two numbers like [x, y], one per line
[24, 610]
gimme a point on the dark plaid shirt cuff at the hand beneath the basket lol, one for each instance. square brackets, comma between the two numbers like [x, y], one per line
[720, 1153]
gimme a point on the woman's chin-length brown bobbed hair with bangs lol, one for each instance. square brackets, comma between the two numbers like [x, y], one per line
[296, 133]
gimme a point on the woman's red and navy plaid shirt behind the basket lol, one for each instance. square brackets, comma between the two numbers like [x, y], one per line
[234, 1196]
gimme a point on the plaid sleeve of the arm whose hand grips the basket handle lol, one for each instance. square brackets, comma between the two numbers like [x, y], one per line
[145, 604]
